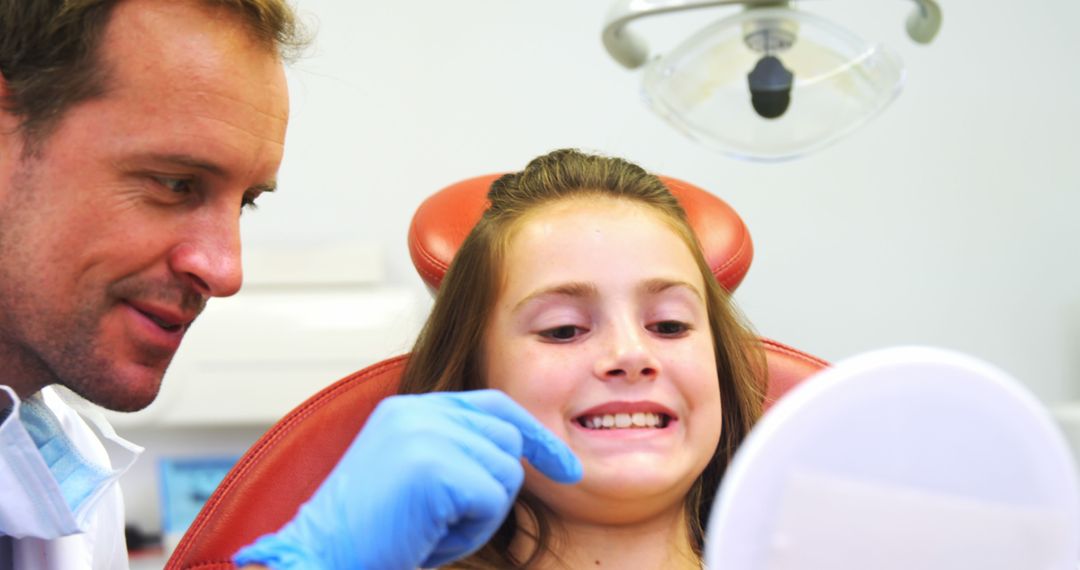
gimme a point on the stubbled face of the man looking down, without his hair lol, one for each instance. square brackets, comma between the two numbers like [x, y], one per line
[117, 232]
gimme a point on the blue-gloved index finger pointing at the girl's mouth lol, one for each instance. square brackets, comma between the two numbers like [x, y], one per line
[542, 449]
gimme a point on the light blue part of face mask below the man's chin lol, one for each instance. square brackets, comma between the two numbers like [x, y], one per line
[77, 477]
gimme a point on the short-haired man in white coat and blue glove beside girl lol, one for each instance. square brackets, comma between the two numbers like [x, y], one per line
[132, 135]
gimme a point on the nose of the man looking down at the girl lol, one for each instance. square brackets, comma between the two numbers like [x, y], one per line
[209, 257]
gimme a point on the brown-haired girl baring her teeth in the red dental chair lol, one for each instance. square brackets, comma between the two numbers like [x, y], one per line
[584, 295]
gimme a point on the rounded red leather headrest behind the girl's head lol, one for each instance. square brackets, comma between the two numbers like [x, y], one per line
[443, 221]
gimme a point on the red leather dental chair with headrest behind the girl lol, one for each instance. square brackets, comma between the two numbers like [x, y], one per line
[286, 467]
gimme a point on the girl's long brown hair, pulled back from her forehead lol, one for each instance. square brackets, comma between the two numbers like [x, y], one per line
[449, 352]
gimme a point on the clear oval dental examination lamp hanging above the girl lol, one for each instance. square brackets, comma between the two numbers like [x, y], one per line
[768, 84]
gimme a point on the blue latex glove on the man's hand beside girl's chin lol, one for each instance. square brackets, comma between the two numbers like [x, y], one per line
[428, 481]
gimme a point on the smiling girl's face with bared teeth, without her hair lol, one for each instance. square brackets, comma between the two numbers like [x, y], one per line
[601, 331]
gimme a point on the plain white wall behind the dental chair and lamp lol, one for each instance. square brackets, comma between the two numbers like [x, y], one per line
[950, 221]
